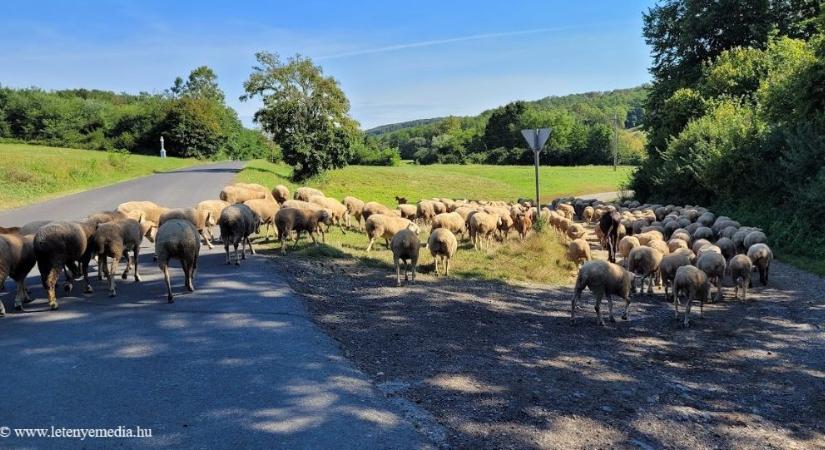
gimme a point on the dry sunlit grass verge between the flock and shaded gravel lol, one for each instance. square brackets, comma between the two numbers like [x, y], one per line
[539, 259]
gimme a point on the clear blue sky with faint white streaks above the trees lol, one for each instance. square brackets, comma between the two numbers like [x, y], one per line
[396, 61]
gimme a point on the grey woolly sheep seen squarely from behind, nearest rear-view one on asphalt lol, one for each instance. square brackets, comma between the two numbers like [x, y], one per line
[178, 238]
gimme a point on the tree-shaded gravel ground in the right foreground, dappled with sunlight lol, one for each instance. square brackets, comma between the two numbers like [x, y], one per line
[500, 366]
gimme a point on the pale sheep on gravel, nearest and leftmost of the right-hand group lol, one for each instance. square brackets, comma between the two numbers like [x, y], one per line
[604, 279]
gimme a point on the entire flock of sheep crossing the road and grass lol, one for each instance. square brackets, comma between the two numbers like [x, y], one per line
[686, 248]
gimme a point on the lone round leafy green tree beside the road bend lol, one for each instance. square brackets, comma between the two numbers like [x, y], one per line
[305, 112]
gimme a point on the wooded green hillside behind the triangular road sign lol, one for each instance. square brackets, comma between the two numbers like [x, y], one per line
[584, 129]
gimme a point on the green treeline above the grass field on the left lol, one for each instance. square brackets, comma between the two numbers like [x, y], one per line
[192, 116]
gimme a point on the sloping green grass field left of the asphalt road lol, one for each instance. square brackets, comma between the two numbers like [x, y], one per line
[31, 173]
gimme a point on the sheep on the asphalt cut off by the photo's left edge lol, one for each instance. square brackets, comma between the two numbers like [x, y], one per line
[17, 259]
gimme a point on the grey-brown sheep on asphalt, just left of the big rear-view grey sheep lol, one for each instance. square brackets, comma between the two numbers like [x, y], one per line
[114, 240]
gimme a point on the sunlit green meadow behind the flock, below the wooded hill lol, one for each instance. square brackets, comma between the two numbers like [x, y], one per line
[455, 181]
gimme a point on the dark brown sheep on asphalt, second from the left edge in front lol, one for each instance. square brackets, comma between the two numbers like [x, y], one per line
[61, 245]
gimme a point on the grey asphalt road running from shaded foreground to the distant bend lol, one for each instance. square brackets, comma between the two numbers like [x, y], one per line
[236, 364]
